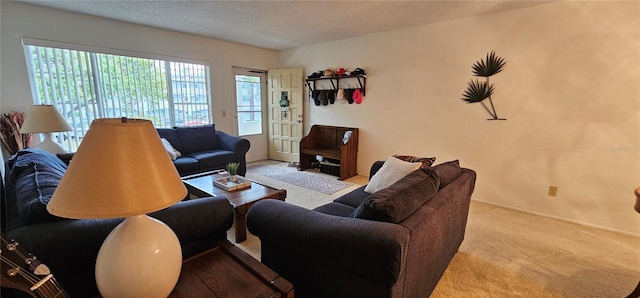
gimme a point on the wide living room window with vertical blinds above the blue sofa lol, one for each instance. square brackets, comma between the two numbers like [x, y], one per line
[89, 84]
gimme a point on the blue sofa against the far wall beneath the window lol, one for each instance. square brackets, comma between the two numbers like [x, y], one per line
[203, 148]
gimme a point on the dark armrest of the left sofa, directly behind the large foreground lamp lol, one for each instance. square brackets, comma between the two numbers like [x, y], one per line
[70, 247]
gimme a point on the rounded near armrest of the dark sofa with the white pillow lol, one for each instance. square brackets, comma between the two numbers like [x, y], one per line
[372, 249]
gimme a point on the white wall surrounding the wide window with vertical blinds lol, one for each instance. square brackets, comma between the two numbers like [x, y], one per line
[25, 20]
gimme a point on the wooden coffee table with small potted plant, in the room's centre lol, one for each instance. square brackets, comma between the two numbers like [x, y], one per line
[201, 185]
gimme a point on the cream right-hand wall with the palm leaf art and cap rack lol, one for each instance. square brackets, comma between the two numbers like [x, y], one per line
[570, 92]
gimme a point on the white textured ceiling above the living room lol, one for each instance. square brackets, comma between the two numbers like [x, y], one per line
[278, 25]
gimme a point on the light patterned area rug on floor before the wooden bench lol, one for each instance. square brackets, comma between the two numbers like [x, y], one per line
[291, 175]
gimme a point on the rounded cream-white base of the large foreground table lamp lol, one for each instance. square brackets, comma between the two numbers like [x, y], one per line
[141, 257]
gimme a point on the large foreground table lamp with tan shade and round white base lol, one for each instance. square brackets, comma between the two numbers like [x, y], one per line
[121, 169]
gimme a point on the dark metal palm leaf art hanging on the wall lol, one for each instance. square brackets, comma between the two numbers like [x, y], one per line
[479, 91]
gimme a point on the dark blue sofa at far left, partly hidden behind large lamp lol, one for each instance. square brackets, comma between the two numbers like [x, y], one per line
[69, 247]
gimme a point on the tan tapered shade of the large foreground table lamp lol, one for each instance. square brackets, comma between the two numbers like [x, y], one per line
[120, 169]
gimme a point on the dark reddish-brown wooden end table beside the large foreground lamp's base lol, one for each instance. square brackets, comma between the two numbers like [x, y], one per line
[227, 271]
